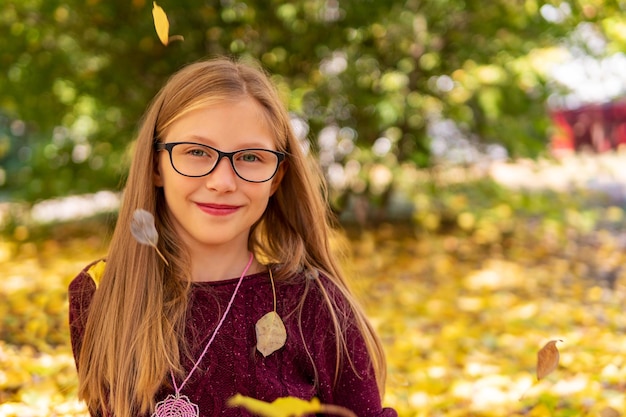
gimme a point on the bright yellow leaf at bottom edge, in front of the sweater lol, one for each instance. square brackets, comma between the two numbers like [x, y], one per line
[281, 407]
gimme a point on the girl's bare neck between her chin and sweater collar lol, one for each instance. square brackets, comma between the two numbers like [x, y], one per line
[220, 265]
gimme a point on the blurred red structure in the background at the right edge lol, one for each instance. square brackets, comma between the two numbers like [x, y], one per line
[593, 127]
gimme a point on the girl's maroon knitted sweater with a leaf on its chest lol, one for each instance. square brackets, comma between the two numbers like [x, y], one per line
[233, 365]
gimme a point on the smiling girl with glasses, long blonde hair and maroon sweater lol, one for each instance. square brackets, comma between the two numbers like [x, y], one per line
[243, 231]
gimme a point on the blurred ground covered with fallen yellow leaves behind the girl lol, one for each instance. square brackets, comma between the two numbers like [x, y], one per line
[463, 298]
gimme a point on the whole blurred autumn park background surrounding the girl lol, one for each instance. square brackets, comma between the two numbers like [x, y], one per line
[473, 151]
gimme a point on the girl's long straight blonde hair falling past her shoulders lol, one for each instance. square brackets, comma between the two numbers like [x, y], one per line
[137, 316]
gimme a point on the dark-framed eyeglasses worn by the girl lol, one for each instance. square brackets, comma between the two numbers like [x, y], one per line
[198, 160]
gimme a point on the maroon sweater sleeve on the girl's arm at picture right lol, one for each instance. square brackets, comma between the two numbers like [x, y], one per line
[353, 383]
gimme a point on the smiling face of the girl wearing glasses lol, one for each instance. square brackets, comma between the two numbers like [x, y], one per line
[216, 210]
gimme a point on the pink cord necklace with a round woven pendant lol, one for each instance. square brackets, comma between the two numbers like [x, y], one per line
[178, 405]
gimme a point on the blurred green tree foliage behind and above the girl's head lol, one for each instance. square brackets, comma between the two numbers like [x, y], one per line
[79, 74]
